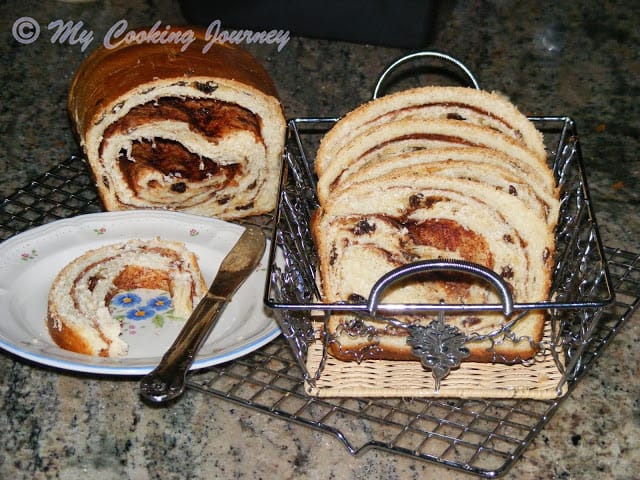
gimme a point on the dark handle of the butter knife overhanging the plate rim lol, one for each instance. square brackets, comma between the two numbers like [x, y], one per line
[167, 380]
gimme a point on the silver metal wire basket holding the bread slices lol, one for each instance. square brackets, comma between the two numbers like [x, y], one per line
[581, 283]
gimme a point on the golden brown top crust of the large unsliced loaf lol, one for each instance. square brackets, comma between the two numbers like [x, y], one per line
[109, 73]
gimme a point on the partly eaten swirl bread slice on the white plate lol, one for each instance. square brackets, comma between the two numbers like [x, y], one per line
[78, 317]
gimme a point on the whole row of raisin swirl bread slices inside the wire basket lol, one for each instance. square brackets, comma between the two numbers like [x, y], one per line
[397, 185]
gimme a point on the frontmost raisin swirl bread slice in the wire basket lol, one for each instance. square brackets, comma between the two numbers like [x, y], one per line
[391, 220]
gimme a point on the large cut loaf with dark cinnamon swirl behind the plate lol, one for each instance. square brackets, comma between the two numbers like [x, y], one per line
[168, 127]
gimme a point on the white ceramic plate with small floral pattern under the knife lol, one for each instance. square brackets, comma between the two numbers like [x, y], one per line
[30, 261]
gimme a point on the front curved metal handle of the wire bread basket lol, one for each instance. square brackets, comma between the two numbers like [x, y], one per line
[423, 266]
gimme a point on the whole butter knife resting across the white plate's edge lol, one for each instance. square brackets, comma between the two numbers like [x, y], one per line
[167, 380]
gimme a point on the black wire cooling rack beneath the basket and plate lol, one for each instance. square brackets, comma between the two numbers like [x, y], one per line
[483, 437]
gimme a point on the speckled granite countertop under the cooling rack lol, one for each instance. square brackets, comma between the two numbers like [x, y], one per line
[568, 58]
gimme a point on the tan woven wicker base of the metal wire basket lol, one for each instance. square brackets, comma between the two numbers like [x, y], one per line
[381, 378]
